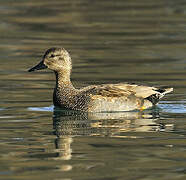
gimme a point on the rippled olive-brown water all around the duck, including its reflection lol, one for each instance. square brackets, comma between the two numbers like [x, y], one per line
[109, 41]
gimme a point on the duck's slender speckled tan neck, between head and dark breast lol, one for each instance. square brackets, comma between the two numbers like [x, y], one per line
[63, 79]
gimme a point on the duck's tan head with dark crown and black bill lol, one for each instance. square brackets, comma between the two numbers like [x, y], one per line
[56, 59]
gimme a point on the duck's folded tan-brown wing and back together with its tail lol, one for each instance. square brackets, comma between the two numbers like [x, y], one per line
[152, 94]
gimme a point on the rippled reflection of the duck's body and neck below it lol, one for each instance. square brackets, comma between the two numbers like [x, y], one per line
[68, 124]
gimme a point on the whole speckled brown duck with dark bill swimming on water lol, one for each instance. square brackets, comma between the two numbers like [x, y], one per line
[96, 98]
